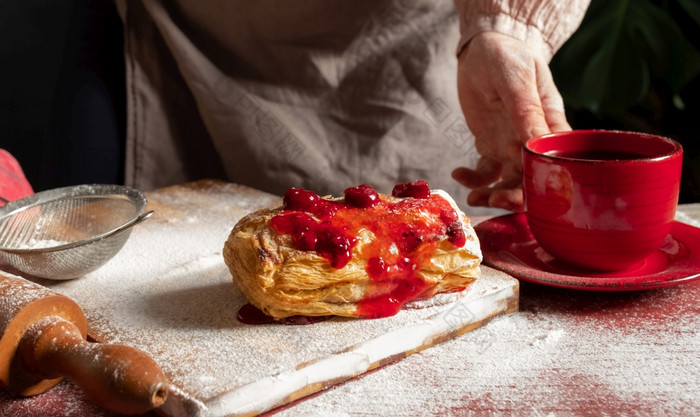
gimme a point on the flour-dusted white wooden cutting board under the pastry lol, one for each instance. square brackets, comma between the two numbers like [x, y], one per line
[169, 293]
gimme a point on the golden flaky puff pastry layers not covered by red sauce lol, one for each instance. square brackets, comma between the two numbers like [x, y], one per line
[283, 281]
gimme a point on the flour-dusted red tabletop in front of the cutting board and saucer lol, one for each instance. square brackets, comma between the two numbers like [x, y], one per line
[565, 353]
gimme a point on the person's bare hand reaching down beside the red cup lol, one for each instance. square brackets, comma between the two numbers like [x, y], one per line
[508, 96]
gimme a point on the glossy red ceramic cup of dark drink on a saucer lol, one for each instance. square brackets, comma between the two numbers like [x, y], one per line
[602, 200]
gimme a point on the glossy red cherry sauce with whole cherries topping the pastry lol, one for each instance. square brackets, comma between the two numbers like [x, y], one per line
[406, 234]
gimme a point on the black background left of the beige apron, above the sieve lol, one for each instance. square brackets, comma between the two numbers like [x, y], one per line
[62, 90]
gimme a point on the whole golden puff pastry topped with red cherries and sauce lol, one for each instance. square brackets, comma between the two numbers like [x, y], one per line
[366, 254]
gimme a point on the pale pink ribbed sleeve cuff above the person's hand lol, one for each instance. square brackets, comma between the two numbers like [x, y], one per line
[545, 24]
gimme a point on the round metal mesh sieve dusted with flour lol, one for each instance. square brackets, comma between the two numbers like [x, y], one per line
[67, 232]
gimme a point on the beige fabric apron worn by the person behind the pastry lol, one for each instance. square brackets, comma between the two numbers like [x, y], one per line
[321, 94]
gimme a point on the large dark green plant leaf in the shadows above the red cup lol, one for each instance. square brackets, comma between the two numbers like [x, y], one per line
[621, 49]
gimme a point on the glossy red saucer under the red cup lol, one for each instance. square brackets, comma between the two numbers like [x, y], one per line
[508, 245]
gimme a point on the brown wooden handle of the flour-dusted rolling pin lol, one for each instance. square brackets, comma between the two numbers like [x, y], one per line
[116, 377]
